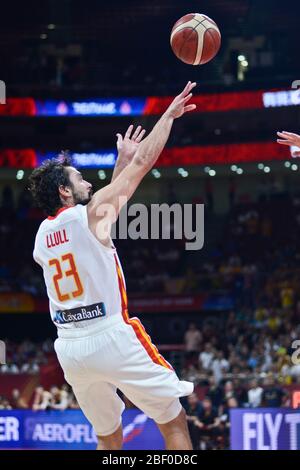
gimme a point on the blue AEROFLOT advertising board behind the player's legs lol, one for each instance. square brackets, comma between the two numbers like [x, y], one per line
[70, 430]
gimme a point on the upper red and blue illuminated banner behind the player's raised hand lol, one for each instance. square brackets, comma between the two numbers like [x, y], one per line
[151, 105]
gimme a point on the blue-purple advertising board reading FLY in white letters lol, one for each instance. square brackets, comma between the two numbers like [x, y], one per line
[265, 429]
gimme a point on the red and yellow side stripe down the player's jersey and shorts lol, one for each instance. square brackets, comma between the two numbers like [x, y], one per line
[137, 326]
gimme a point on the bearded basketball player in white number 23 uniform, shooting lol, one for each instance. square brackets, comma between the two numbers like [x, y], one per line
[99, 347]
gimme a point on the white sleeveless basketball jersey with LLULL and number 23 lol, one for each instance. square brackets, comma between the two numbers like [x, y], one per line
[80, 273]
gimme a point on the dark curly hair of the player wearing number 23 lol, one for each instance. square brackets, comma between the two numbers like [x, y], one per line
[45, 180]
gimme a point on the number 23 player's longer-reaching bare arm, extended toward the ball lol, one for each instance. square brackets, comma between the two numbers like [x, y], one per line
[121, 189]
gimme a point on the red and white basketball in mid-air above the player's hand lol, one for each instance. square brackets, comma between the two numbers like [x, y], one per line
[195, 39]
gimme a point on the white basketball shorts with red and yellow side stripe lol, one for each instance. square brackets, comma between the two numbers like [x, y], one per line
[118, 354]
